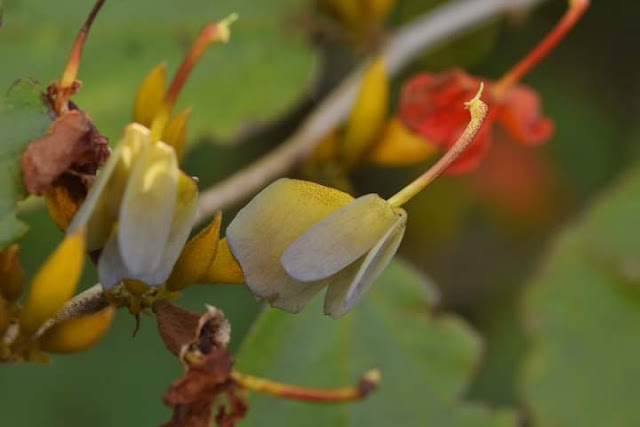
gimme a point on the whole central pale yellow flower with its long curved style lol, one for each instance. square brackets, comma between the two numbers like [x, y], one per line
[296, 238]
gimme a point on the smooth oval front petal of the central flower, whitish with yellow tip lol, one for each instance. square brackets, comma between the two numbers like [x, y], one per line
[339, 239]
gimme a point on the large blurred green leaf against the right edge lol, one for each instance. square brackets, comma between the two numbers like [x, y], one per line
[583, 312]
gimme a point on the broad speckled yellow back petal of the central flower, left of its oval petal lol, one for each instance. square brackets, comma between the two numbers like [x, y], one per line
[264, 228]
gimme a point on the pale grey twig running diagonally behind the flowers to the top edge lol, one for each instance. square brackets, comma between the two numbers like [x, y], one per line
[417, 37]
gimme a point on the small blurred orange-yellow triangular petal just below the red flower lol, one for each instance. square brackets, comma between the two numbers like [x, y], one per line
[400, 147]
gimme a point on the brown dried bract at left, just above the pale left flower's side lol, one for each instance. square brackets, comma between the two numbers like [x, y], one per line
[73, 145]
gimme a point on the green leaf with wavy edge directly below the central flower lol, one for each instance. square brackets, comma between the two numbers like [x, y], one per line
[426, 361]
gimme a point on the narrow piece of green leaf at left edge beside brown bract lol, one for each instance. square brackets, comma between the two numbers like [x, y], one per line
[24, 116]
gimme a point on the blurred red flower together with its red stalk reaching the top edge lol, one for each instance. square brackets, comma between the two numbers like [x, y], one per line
[429, 103]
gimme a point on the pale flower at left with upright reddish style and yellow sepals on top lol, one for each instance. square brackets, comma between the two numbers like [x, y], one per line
[141, 208]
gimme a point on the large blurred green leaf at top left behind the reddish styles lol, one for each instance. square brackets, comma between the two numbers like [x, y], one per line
[257, 76]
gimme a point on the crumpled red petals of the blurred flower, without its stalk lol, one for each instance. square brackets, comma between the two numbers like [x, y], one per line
[430, 106]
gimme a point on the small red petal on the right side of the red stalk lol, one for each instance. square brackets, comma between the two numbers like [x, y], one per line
[521, 117]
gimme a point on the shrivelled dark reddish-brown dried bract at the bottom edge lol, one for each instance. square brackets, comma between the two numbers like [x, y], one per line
[200, 341]
